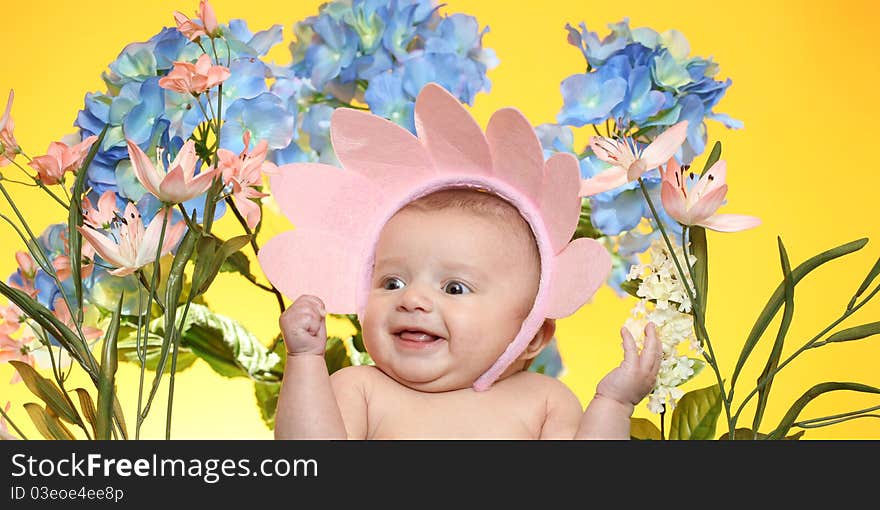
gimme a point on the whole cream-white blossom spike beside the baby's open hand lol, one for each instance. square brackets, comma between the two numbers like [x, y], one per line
[675, 329]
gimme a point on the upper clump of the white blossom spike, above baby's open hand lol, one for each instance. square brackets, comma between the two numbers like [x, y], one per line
[660, 279]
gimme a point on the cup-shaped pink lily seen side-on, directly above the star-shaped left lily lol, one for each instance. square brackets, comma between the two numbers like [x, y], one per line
[176, 185]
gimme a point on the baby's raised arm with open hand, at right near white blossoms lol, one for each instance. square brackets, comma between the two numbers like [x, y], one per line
[608, 414]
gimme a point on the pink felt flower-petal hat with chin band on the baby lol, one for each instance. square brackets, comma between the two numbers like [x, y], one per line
[338, 214]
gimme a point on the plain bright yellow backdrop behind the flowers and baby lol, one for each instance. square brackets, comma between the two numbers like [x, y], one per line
[804, 82]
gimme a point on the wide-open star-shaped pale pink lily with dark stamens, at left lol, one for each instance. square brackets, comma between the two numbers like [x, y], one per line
[136, 246]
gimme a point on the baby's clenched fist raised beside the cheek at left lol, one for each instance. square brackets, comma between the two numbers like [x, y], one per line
[303, 326]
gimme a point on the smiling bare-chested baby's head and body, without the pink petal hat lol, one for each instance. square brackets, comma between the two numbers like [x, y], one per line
[456, 273]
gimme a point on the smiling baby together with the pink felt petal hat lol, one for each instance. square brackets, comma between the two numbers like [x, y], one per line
[454, 248]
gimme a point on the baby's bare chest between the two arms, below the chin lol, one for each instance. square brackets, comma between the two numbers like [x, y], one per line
[451, 416]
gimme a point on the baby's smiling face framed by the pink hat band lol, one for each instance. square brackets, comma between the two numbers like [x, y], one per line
[449, 292]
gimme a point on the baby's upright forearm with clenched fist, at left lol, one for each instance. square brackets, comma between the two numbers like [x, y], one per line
[307, 407]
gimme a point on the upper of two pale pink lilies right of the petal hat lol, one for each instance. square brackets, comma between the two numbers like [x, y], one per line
[628, 162]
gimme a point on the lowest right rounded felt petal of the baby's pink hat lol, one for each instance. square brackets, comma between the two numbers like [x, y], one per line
[578, 272]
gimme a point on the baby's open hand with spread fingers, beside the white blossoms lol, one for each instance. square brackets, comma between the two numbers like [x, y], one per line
[635, 377]
